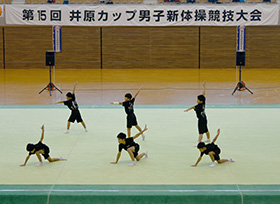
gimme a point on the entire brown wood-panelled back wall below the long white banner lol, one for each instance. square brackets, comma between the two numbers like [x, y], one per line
[140, 47]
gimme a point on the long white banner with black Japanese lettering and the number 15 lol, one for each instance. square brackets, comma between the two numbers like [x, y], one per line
[143, 15]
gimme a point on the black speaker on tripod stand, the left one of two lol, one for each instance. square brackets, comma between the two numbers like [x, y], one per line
[50, 61]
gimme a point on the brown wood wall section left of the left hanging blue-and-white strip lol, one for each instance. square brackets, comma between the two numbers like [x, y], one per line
[25, 46]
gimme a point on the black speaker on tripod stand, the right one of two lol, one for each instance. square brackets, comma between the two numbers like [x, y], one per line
[240, 61]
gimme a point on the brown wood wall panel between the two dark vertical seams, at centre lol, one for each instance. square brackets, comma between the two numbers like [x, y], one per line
[150, 47]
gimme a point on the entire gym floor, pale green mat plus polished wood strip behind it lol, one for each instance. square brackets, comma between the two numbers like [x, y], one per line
[249, 133]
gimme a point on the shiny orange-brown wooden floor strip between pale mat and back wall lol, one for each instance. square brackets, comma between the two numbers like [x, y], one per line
[165, 86]
